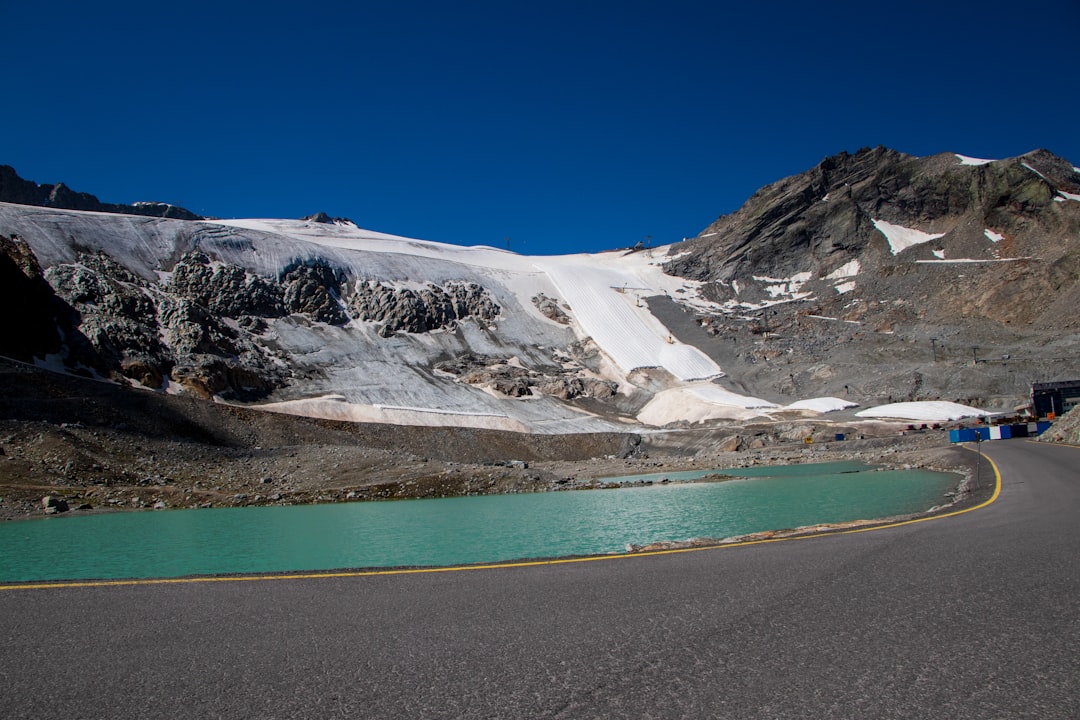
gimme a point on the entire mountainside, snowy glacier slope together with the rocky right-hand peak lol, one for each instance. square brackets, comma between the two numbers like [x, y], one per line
[869, 280]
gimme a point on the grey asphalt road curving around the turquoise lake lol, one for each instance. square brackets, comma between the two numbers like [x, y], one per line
[970, 617]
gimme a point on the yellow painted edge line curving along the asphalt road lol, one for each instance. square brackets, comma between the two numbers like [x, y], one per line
[496, 566]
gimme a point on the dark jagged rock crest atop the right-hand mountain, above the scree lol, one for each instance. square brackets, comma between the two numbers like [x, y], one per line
[822, 219]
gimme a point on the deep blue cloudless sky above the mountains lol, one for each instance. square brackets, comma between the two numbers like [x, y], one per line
[566, 127]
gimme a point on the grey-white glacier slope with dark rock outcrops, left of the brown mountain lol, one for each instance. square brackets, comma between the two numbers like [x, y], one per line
[330, 343]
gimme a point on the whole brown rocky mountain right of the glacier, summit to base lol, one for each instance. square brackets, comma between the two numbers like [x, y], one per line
[816, 295]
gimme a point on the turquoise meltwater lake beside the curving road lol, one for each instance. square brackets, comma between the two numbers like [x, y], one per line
[460, 531]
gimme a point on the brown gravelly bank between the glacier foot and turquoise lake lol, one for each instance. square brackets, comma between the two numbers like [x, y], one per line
[84, 446]
